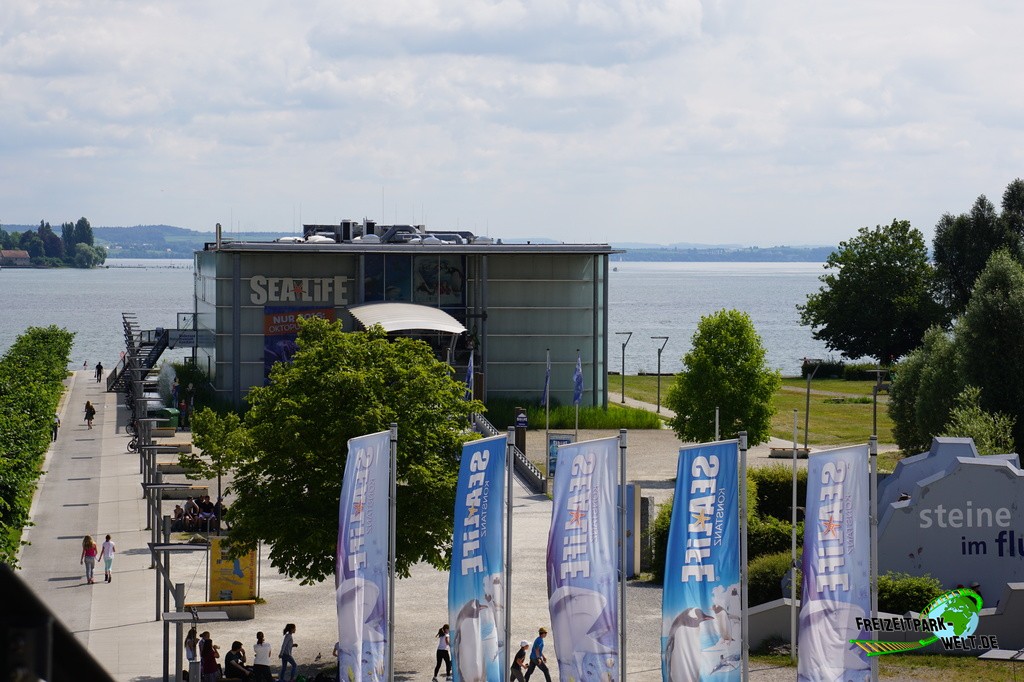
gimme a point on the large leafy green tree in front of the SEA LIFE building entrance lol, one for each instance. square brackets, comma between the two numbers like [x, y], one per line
[337, 388]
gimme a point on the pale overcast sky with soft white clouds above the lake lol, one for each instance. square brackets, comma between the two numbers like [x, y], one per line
[663, 121]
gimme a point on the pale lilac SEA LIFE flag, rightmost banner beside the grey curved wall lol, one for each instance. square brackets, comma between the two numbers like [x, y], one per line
[837, 568]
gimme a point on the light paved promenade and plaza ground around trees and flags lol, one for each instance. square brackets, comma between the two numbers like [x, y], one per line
[92, 486]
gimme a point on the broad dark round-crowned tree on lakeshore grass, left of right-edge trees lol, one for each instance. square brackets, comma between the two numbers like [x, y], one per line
[878, 300]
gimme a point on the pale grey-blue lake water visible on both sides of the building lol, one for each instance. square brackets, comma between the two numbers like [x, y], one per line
[649, 300]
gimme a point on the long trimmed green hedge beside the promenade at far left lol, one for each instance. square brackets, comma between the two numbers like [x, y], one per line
[32, 375]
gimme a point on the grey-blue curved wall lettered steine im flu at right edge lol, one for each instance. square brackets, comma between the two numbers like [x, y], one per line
[954, 515]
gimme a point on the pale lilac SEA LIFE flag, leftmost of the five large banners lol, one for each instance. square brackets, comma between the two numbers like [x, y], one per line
[362, 570]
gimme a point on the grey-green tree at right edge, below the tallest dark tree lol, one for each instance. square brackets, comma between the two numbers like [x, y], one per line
[991, 336]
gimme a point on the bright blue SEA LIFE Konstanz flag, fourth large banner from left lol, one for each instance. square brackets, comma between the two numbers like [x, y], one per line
[701, 603]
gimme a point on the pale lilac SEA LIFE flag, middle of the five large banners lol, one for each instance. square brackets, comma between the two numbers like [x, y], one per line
[583, 562]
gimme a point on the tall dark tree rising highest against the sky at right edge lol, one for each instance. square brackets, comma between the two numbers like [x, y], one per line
[964, 244]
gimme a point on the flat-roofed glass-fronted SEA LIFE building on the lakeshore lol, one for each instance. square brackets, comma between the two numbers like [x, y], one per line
[517, 303]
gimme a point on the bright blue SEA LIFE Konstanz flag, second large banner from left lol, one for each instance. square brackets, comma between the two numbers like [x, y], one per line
[477, 582]
